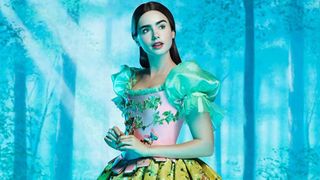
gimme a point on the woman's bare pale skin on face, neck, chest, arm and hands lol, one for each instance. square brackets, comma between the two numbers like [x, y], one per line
[153, 26]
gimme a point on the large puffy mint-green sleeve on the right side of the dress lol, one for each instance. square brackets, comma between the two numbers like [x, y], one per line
[191, 89]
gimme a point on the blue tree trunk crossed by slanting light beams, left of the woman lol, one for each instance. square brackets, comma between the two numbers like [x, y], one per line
[64, 145]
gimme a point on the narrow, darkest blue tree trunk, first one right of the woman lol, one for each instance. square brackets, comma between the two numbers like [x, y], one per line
[249, 126]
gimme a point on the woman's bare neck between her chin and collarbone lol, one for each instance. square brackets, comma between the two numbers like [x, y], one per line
[160, 64]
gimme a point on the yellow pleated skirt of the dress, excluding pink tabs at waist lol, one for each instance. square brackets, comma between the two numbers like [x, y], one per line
[166, 170]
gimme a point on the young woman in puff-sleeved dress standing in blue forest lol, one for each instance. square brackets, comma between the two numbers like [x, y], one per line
[155, 100]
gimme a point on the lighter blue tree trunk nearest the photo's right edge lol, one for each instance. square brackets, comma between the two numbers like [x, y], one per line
[298, 165]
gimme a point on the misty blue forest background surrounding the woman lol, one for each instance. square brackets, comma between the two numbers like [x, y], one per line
[55, 87]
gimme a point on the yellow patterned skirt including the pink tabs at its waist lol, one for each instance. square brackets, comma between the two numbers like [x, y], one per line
[159, 168]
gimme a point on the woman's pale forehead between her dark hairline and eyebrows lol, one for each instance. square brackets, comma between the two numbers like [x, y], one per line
[151, 17]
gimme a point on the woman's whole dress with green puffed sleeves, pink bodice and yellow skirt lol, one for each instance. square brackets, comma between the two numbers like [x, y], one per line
[155, 116]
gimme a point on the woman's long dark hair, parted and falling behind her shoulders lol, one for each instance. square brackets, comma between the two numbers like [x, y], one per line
[144, 62]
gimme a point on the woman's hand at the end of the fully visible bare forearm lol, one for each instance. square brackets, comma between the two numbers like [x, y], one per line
[131, 144]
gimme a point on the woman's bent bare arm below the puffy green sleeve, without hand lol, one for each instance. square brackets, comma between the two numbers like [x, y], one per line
[201, 145]
